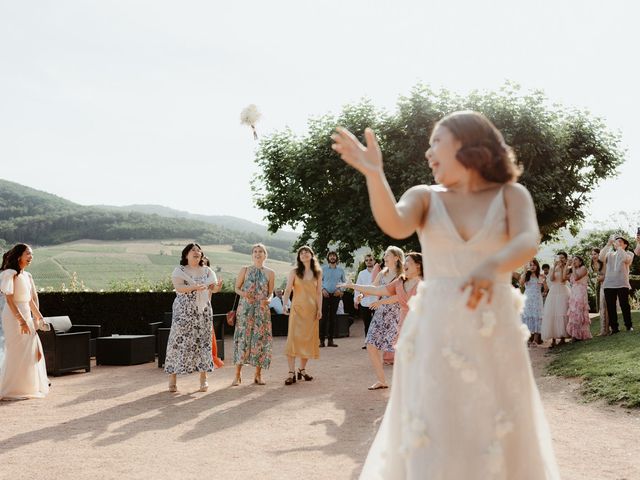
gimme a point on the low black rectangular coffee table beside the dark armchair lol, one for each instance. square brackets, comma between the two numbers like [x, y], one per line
[125, 349]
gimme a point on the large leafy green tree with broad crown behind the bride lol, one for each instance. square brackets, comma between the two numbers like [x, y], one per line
[565, 154]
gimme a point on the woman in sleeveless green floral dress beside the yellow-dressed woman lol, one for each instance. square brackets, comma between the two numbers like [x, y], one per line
[252, 339]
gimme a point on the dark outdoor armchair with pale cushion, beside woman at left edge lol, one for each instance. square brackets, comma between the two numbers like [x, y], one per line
[65, 349]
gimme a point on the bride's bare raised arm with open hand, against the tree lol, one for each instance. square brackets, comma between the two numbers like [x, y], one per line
[398, 220]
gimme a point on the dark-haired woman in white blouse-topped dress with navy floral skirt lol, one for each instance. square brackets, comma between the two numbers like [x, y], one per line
[189, 344]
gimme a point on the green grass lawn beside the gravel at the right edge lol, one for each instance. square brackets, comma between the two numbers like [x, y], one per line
[609, 366]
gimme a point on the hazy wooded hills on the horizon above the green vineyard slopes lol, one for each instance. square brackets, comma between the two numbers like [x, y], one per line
[40, 218]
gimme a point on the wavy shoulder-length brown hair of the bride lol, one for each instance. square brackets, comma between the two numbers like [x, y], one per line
[483, 147]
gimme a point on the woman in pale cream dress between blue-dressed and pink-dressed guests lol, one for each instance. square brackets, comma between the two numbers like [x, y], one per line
[556, 306]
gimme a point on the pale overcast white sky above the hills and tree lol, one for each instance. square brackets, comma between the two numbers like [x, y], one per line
[123, 102]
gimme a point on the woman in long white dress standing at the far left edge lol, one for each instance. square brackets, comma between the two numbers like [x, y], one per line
[24, 374]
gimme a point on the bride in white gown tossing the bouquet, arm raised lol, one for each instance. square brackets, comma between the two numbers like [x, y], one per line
[464, 404]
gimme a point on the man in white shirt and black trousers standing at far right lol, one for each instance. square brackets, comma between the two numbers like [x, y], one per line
[616, 281]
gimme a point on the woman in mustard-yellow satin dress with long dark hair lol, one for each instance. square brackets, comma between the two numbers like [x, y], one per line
[304, 316]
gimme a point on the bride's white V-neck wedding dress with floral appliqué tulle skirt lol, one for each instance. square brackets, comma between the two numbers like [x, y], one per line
[464, 404]
